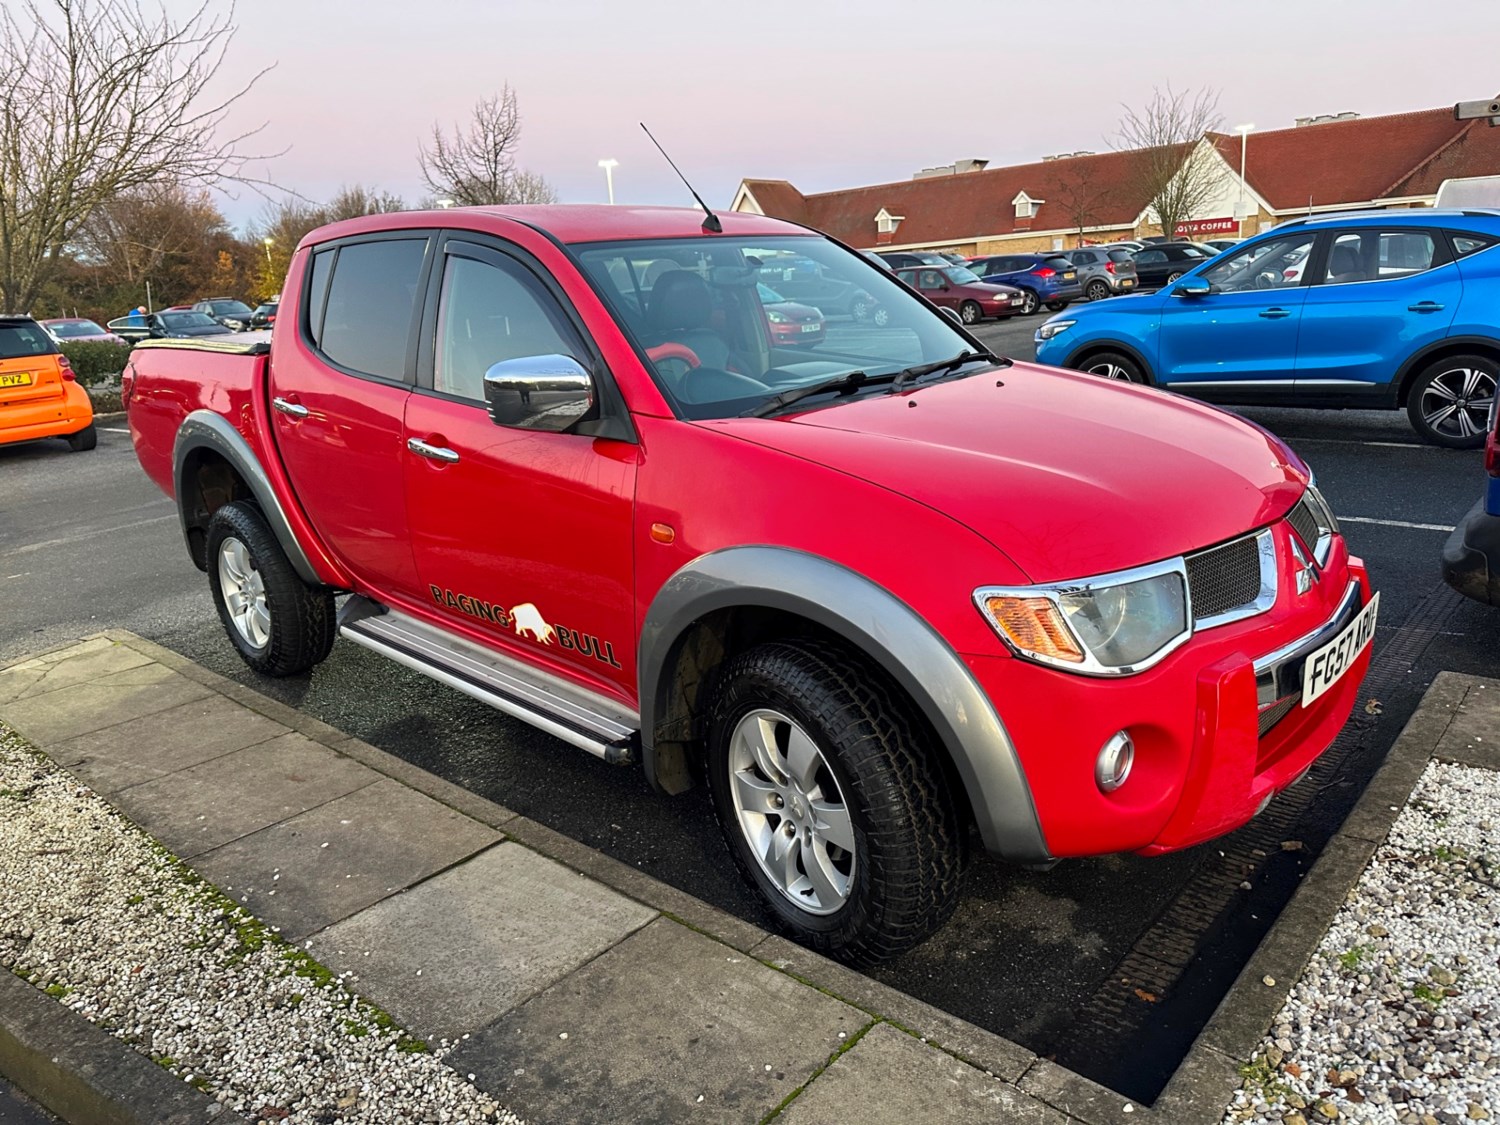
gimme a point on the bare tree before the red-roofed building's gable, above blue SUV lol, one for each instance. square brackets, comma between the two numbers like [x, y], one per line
[1166, 169]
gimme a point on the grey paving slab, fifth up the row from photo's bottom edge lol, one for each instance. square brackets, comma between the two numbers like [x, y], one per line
[206, 806]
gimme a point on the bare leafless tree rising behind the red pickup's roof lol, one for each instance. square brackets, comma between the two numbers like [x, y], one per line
[478, 166]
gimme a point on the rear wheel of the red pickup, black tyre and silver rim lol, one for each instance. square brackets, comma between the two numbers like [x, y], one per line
[280, 625]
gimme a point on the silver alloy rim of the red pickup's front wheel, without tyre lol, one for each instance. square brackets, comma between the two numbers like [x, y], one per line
[791, 812]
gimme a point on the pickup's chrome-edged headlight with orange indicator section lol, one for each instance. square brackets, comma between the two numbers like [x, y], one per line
[1114, 625]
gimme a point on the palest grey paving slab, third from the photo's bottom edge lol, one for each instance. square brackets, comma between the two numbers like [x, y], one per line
[488, 935]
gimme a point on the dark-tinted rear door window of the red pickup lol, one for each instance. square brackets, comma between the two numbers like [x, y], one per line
[371, 301]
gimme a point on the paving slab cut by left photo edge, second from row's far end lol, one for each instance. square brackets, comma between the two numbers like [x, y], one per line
[107, 701]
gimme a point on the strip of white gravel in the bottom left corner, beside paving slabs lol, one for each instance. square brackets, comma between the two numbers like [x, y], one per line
[103, 917]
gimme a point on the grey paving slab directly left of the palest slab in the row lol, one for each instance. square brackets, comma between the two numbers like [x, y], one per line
[344, 856]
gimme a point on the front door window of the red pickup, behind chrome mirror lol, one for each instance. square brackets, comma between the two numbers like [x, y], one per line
[487, 314]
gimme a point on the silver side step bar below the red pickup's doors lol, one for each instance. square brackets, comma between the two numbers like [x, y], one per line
[572, 713]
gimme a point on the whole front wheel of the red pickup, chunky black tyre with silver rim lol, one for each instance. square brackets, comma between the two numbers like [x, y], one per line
[832, 802]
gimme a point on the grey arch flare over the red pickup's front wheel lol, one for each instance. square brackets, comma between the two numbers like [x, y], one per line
[889, 632]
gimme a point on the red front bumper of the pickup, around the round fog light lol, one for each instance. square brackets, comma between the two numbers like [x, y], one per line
[1217, 727]
